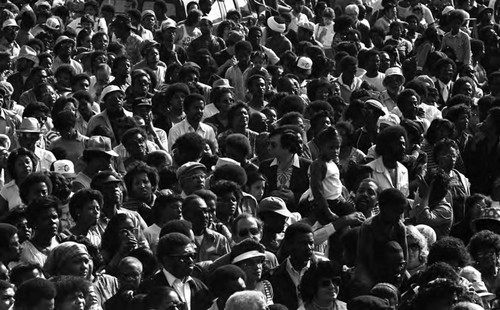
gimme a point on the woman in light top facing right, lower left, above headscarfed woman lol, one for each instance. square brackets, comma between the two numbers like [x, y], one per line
[43, 218]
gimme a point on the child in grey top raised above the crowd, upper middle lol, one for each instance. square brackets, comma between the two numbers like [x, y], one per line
[234, 74]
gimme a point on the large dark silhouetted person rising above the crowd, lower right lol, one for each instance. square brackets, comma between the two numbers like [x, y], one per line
[375, 233]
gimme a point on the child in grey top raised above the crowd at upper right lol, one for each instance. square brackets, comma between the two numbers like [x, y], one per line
[457, 40]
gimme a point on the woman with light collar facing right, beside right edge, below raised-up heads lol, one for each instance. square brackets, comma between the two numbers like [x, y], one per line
[445, 154]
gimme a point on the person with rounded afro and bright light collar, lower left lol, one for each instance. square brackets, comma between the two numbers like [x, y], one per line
[85, 209]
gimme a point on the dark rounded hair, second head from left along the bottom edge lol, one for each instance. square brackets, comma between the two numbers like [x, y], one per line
[33, 291]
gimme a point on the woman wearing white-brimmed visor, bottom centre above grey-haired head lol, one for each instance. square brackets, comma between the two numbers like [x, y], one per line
[250, 255]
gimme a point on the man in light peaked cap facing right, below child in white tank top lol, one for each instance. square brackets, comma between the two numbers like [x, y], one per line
[274, 214]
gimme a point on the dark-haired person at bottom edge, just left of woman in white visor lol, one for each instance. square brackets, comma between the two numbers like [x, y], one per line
[224, 282]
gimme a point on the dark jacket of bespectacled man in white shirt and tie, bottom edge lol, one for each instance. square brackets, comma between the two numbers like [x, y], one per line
[201, 298]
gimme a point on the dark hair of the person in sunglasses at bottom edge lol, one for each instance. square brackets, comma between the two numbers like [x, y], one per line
[309, 283]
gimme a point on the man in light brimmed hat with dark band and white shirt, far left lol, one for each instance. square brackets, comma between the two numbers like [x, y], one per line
[28, 135]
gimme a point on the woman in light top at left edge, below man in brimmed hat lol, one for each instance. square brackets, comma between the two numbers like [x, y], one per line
[20, 164]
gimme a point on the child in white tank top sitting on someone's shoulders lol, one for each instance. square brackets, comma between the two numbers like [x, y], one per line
[325, 184]
